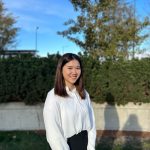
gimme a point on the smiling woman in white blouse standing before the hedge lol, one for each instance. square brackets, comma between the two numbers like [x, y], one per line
[68, 114]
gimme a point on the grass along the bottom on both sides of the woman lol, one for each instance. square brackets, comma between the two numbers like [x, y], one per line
[30, 140]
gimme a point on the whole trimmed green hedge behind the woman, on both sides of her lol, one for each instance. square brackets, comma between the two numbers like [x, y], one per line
[29, 79]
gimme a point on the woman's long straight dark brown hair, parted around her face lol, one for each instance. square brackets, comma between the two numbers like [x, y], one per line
[59, 87]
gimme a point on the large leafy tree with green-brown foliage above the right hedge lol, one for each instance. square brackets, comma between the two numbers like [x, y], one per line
[105, 28]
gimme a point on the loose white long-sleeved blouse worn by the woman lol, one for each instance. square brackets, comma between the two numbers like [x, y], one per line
[67, 116]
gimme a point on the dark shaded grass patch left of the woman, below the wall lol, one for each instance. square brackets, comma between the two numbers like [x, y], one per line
[23, 140]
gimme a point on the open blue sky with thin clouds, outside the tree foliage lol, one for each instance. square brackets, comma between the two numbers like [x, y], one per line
[49, 16]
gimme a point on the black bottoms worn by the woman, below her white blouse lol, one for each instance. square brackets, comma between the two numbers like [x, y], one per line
[78, 141]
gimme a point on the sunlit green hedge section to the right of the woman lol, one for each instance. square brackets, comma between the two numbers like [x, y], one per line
[118, 81]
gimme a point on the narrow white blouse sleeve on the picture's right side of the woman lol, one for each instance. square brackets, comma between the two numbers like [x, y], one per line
[92, 131]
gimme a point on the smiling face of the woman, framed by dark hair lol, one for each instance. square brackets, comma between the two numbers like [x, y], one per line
[71, 72]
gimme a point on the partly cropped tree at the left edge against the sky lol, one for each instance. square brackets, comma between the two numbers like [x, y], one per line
[7, 29]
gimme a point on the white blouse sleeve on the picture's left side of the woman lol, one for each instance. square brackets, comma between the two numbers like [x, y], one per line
[52, 121]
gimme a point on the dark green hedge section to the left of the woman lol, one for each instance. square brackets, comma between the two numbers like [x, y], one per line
[26, 79]
